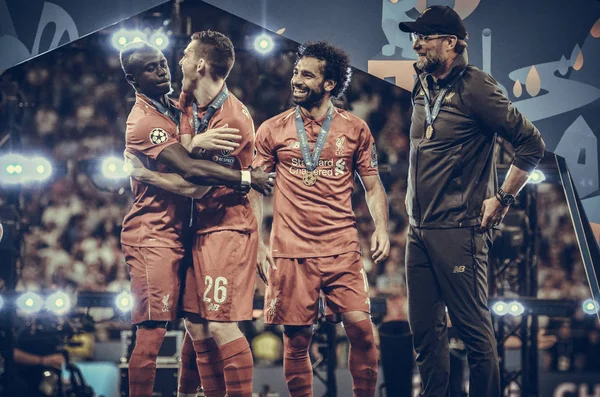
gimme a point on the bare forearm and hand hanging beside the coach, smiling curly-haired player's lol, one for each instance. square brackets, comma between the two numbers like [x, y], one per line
[377, 202]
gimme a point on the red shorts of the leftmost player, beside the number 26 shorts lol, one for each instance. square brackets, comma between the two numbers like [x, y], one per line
[155, 282]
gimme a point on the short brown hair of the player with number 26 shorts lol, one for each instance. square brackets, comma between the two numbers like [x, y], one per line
[218, 50]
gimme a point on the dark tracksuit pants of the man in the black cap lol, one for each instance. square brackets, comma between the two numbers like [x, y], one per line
[448, 268]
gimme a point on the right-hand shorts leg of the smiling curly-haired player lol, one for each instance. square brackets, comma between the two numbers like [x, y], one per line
[345, 283]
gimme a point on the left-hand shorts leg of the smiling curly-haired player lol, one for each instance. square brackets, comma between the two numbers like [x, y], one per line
[291, 298]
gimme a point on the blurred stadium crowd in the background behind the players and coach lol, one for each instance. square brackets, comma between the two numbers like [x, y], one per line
[72, 107]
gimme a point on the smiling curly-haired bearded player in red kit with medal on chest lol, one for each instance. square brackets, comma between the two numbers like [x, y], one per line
[315, 150]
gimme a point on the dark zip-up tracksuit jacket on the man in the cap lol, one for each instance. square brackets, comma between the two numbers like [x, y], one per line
[452, 173]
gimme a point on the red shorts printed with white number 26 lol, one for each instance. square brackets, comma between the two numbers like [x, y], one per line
[224, 272]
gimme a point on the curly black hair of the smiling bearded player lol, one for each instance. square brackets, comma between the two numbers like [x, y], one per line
[337, 63]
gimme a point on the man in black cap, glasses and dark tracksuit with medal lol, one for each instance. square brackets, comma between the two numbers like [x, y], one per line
[453, 199]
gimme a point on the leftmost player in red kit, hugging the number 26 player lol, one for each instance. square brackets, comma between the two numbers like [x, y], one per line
[153, 230]
